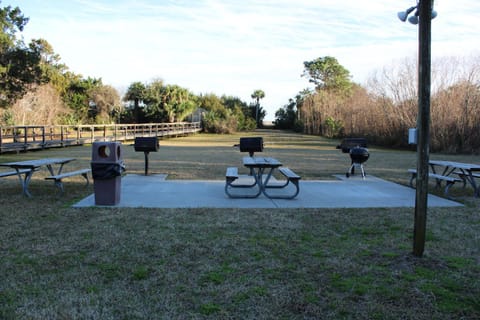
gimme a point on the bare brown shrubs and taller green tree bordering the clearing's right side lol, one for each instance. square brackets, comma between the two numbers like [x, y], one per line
[385, 107]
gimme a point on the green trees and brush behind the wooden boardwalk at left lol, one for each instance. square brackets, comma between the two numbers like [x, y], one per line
[37, 88]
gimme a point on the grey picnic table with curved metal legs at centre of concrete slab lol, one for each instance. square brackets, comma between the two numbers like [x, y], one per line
[261, 169]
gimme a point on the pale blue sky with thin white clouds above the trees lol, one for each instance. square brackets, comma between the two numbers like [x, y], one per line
[234, 47]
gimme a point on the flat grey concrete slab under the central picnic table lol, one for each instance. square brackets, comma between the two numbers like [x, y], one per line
[153, 191]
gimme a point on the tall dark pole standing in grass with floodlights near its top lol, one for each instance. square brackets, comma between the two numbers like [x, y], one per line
[423, 124]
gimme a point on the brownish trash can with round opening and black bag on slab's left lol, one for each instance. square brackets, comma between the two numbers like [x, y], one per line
[107, 168]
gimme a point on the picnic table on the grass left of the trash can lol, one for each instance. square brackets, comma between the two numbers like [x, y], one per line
[28, 167]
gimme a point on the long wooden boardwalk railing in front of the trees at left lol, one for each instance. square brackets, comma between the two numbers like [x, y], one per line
[23, 138]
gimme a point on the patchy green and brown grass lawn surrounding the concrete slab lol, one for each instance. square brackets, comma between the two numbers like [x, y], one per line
[59, 262]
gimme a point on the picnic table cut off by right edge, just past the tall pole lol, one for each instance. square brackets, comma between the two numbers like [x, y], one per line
[466, 171]
